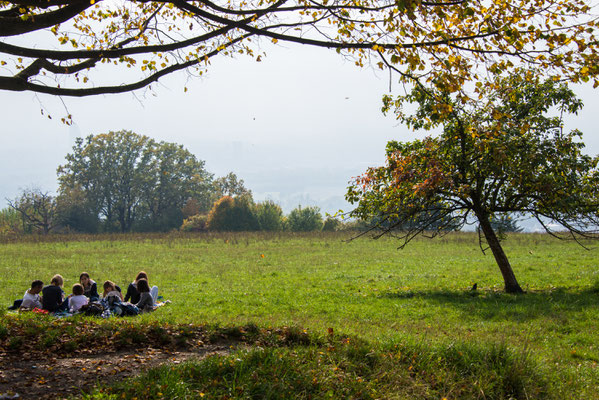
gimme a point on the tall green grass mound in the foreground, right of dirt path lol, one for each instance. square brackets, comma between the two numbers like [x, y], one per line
[350, 370]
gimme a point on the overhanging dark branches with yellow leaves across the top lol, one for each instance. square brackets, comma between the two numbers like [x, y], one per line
[84, 47]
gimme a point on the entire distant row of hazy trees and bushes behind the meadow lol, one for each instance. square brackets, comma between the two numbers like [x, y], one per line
[124, 182]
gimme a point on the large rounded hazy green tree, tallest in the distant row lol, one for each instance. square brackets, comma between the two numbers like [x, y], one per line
[128, 178]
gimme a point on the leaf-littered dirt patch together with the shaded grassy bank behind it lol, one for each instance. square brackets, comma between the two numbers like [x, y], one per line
[46, 358]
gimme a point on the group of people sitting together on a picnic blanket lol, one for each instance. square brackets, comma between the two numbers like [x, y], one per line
[140, 297]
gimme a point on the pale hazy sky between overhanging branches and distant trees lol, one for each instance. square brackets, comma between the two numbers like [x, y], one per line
[296, 126]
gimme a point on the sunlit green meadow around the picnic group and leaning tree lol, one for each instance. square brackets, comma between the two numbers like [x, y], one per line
[365, 289]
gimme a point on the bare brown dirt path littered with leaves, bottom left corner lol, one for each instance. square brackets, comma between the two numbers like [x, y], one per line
[35, 377]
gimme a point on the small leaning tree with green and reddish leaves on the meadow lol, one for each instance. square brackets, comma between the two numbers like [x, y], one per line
[506, 153]
